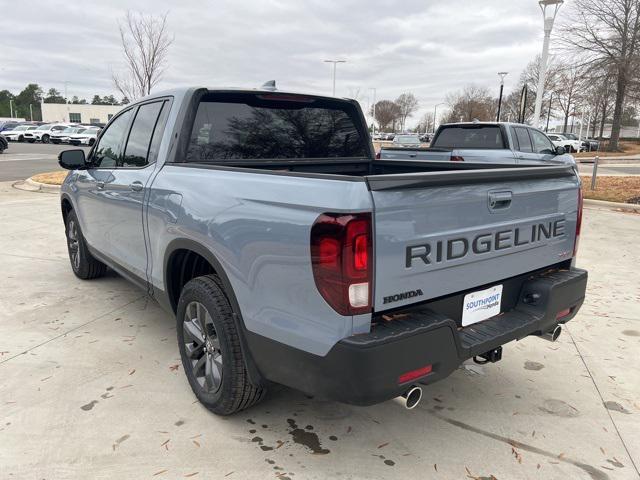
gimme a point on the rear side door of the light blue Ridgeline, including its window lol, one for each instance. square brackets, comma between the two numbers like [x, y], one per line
[126, 192]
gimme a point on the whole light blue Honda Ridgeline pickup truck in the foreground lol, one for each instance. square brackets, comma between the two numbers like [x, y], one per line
[290, 255]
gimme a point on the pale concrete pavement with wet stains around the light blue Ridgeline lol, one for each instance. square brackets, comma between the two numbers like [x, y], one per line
[92, 386]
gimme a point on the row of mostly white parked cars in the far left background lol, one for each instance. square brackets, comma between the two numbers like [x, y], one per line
[56, 133]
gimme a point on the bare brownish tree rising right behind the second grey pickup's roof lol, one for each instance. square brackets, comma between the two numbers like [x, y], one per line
[471, 103]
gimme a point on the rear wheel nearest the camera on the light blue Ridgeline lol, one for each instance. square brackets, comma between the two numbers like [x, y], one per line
[210, 349]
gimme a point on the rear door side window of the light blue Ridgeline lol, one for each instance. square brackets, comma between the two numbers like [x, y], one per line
[136, 153]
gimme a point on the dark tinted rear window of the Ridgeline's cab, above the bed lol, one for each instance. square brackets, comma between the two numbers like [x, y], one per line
[231, 127]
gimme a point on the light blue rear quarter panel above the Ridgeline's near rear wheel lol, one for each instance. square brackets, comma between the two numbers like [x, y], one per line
[258, 227]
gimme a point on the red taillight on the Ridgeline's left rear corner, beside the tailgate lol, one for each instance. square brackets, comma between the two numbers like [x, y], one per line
[341, 260]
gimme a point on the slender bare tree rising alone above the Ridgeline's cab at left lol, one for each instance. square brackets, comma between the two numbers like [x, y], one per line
[145, 44]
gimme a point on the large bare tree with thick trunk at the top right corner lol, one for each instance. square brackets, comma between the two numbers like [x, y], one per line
[606, 33]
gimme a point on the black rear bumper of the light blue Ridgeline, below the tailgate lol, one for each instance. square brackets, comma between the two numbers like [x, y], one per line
[364, 369]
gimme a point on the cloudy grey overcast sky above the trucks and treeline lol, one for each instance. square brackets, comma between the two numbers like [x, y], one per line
[422, 46]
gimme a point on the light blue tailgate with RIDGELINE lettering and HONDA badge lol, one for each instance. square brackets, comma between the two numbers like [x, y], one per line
[444, 232]
